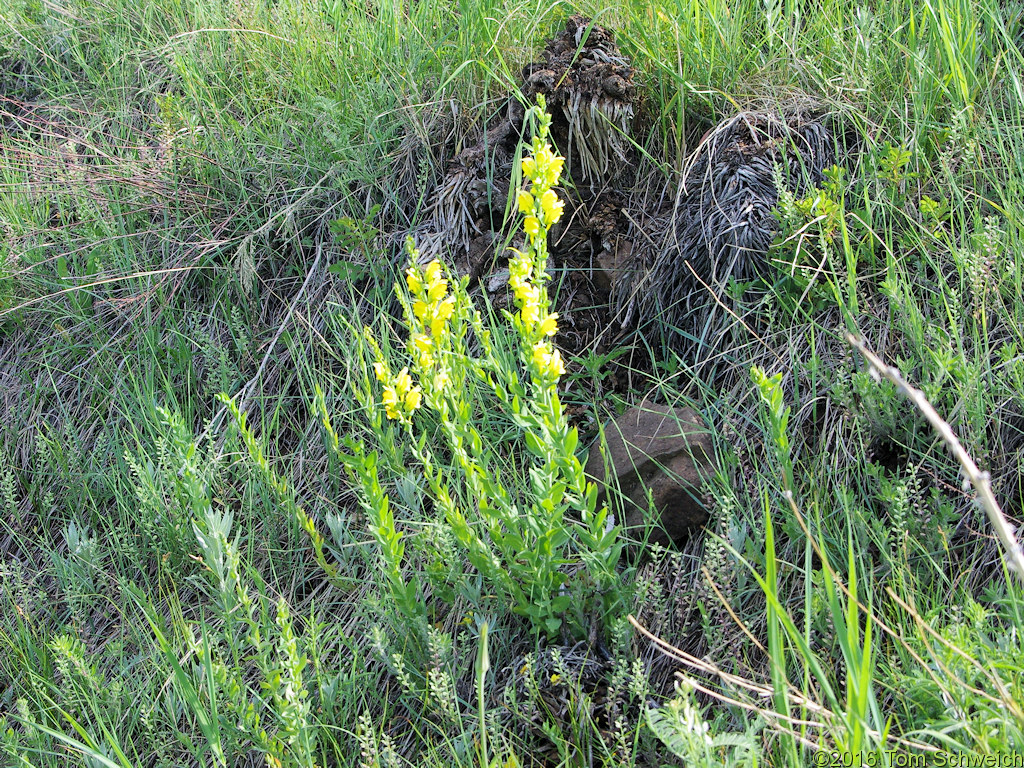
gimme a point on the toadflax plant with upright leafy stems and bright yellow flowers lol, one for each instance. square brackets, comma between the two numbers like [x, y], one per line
[524, 537]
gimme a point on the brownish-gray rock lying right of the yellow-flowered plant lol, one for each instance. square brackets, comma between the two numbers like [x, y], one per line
[662, 450]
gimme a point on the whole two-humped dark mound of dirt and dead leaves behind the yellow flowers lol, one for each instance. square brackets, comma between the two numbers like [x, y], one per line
[628, 257]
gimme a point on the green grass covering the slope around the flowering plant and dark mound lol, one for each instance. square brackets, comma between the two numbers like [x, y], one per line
[170, 172]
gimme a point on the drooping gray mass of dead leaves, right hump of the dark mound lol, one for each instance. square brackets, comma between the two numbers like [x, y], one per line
[722, 223]
